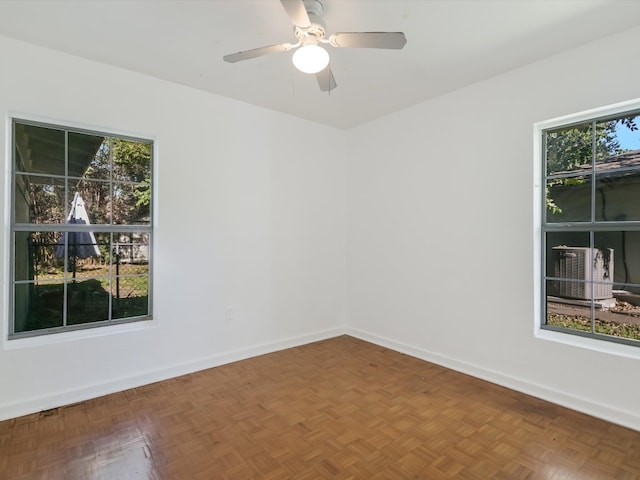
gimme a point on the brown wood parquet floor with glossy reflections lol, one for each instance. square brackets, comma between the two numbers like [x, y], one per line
[339, 409]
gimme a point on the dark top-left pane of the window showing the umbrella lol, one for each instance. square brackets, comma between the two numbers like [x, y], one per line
[39, 150]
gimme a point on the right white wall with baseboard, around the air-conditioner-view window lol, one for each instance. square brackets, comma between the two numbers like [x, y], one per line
[441, 246]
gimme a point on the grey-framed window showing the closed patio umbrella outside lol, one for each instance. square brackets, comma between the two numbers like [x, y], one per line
[81, 229]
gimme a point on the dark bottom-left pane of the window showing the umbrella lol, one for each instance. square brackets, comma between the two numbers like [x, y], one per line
[38, 306]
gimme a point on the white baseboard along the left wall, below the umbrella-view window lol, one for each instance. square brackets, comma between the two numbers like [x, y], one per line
[60, 399]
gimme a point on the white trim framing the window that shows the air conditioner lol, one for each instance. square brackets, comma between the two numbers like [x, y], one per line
[601, 346]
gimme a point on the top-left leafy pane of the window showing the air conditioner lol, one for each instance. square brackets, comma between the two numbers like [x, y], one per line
[568, 149]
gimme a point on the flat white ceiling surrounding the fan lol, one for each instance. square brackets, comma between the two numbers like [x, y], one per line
[450, 44]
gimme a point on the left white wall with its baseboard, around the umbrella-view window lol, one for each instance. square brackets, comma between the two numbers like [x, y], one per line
[243, 219]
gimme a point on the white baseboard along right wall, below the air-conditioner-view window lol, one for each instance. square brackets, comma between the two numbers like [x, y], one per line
[605, 412]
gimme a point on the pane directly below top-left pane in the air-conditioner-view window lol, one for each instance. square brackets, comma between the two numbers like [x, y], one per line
[568, 199]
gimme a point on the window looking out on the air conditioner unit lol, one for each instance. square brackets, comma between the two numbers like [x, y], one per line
[590, 219]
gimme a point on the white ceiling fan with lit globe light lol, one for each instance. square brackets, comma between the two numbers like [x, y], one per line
[309, 29]
